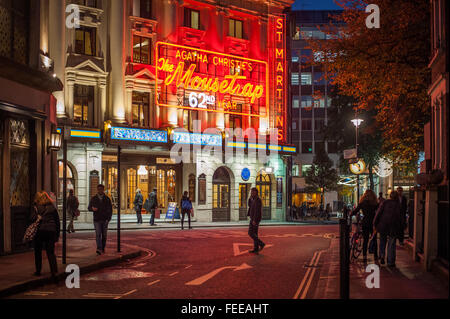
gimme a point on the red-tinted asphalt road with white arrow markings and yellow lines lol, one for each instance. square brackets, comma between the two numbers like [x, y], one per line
[207, 263]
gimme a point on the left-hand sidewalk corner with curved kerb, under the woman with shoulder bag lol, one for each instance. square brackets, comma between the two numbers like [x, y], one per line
[16, 271]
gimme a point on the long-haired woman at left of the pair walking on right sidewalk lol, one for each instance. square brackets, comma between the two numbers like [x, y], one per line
[368, 204]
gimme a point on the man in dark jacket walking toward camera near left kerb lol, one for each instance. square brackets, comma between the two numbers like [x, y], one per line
[101, 205]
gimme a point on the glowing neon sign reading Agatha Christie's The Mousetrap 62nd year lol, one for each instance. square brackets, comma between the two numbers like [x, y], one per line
[191, 78]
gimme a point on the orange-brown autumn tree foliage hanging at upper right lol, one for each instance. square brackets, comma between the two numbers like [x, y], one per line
[383, 69]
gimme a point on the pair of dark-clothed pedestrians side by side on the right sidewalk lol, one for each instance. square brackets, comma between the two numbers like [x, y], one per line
[386, 217]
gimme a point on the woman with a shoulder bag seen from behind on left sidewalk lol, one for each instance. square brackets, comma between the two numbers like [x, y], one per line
[47, 234]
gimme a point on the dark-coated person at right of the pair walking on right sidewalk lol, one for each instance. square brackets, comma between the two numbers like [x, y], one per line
[389, 223]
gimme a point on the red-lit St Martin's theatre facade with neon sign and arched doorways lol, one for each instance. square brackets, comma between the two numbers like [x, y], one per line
[187, 95]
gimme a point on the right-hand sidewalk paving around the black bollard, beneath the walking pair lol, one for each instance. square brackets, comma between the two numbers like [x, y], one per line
[407, 281]
